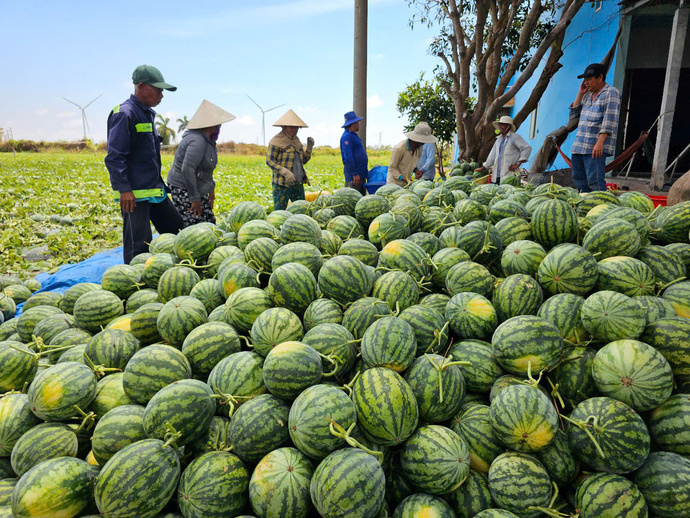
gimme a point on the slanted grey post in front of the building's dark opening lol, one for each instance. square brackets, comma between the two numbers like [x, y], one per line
[668, 100]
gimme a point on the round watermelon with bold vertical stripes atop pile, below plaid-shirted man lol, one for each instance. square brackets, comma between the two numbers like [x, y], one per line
[554, 222]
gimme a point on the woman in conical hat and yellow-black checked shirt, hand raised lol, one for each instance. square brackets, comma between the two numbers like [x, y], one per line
[286, 157]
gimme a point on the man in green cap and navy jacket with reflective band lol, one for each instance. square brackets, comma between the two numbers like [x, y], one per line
[134, 164]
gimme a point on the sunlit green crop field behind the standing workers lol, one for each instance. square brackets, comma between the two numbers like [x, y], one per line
[61, 203]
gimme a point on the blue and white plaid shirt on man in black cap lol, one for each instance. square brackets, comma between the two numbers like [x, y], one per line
[597, 116]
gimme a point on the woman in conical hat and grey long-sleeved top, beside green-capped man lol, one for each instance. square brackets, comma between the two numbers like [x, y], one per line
[191, 176]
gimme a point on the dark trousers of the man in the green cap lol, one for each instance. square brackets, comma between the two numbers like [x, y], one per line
[136, 228]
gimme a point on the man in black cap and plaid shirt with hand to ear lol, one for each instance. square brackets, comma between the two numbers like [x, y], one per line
[598, 106]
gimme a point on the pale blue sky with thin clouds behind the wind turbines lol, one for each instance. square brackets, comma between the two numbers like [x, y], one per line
[297, 52]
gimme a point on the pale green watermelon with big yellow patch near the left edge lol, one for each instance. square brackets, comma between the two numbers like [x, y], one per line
[54, 392]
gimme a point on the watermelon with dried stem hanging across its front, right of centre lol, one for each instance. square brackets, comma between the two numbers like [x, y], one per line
[438, 385]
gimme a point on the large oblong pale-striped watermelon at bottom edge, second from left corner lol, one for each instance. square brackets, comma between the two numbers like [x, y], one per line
[157, 468]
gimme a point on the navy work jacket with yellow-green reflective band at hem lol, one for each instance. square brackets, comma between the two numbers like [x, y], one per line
[134, 150]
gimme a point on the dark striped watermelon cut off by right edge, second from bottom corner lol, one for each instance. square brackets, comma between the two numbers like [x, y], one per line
[668, 425]
